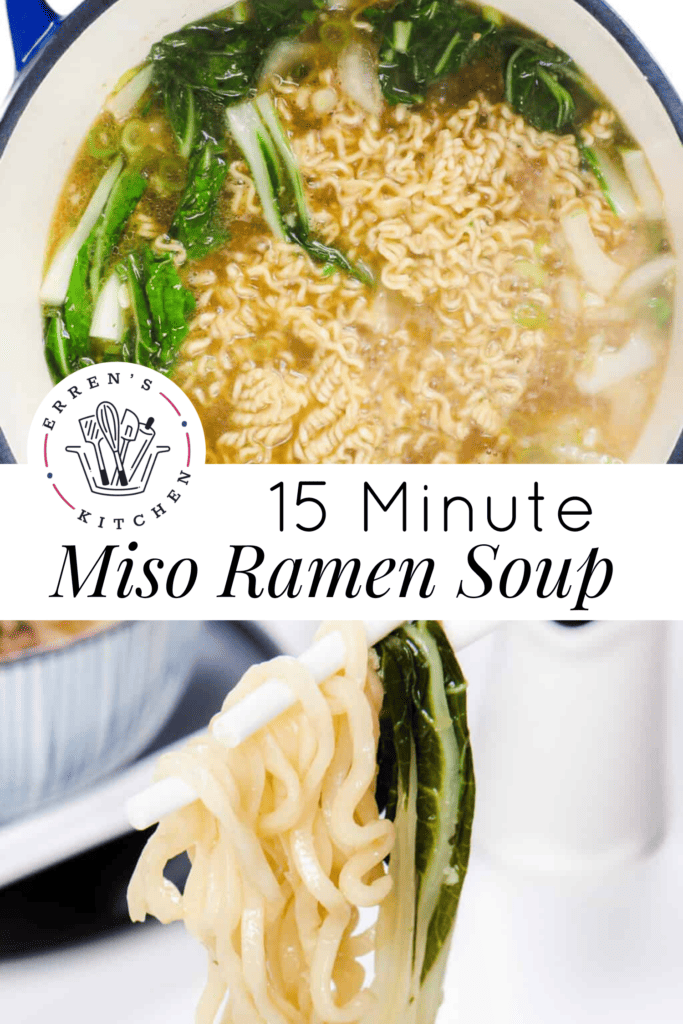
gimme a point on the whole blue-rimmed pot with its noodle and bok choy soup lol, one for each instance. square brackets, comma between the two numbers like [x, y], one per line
[364, 234]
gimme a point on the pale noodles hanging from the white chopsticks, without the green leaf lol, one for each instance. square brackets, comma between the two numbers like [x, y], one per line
[286, 845]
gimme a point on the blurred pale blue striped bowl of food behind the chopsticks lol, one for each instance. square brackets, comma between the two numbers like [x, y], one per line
[80, 700]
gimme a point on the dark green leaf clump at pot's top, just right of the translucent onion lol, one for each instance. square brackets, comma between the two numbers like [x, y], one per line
[422, 41]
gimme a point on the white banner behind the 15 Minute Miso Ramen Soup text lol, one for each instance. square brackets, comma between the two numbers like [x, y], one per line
[636, 524]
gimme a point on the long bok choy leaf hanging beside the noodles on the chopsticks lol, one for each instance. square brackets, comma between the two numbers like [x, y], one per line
[425, 762]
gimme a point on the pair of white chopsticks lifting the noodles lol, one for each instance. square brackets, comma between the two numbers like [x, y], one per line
[268, 703]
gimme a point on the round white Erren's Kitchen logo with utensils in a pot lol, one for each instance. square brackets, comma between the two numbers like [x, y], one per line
[118, 445]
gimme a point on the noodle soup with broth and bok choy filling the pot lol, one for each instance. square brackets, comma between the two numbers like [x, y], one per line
[414, 255]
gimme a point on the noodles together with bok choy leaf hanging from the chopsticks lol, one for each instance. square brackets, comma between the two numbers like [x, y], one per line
[288, 846]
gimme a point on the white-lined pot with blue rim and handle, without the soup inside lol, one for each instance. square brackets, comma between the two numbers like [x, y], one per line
[72, 66]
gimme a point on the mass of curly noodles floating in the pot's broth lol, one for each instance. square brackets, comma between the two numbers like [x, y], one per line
[445, 207]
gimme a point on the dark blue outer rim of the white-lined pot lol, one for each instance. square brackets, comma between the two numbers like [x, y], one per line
[89, 12]
